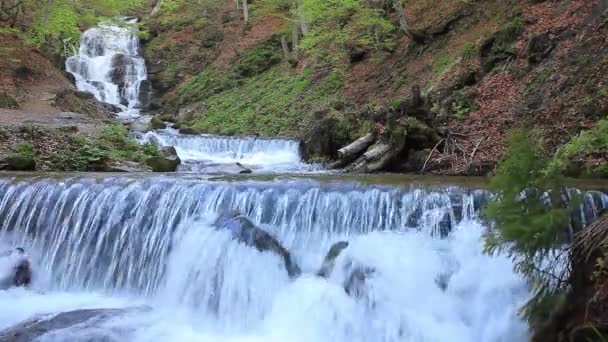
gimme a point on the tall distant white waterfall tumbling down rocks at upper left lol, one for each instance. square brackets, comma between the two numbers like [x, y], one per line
[108, 64]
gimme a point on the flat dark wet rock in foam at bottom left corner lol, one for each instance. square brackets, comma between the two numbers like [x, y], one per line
[56, 327]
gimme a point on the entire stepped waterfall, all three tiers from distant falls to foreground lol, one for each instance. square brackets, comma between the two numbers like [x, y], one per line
[283, 257]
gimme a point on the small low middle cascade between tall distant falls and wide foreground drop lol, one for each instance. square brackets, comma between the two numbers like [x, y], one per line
[212, 153]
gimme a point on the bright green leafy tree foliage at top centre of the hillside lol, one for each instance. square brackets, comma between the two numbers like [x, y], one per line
[339, 25]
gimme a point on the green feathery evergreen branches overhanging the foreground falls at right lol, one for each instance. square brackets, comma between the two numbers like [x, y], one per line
[530, 214]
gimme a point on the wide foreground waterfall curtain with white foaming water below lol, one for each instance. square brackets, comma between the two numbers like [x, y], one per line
[122, 242]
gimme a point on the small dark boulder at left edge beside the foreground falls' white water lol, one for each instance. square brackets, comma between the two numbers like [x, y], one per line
[15, 269]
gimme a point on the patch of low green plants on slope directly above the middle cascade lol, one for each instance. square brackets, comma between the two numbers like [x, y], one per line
[276, 102]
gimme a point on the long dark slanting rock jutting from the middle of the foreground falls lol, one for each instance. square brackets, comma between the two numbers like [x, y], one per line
[247, 233]
